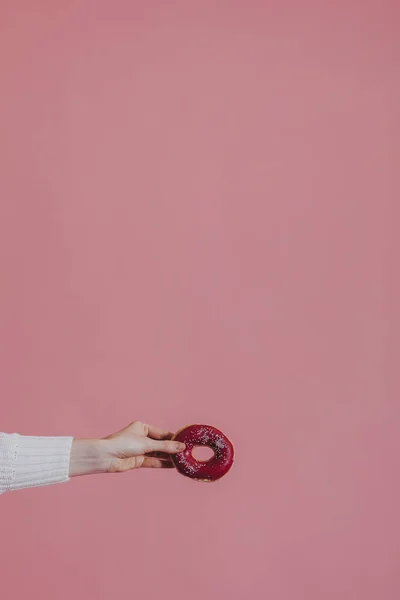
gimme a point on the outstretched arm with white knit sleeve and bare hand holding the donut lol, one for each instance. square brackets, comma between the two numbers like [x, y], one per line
[28, 461]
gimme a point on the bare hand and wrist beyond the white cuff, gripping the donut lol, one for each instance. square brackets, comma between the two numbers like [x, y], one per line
[138, 445]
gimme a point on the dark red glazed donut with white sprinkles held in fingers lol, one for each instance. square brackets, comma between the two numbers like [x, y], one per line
[203, 470]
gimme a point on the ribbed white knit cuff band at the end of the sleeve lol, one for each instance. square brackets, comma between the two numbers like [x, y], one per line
[40, 461]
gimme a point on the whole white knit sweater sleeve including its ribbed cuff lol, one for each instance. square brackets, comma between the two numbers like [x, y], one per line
[29, 461]
